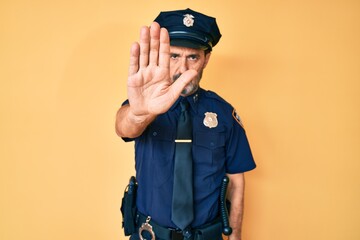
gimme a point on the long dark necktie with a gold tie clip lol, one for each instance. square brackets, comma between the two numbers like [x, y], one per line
[182, 203]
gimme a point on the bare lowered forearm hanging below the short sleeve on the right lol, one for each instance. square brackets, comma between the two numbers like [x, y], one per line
[236, 197]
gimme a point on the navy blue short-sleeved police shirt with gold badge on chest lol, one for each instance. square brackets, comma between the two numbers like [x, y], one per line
[216, 151]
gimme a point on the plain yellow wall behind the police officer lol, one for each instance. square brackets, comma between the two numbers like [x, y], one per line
[291, 69]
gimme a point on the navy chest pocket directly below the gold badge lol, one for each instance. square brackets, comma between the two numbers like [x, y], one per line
[209, 151]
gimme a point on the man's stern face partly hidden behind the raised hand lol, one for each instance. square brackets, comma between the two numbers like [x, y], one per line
[183, 59]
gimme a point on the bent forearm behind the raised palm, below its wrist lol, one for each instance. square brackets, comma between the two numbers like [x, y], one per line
[129, 125]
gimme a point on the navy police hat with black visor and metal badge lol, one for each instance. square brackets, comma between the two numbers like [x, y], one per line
[188, 28]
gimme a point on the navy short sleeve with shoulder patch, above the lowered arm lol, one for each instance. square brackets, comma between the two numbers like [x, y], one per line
[239, 157]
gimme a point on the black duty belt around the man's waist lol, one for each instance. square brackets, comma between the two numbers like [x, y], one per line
[176, 234]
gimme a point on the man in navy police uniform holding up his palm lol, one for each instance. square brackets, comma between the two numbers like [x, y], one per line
[165, 70]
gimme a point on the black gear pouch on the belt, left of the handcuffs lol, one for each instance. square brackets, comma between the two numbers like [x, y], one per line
[128, 207]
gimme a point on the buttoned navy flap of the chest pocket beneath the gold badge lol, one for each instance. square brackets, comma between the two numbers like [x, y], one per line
[211, 140]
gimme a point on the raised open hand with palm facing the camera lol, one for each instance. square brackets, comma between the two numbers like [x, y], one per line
[151, 90]
